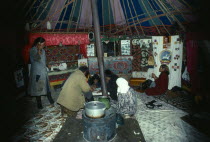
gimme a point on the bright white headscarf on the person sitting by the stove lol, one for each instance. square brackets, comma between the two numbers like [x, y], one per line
[122, 84]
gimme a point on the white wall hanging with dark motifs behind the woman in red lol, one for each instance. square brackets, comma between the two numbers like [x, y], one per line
[169, 55]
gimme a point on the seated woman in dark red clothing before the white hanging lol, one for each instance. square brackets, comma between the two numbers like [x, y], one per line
[160, 85]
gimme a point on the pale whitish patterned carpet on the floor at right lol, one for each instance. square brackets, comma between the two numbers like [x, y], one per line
[164, 123]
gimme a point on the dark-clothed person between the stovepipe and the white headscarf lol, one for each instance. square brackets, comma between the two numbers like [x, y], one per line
[112, 86]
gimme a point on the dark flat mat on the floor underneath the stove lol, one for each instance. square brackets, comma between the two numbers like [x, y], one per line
[72, 131]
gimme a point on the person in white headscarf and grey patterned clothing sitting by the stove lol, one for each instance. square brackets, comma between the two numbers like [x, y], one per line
[127, 99]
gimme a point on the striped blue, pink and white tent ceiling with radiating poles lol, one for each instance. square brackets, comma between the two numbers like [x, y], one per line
[115, 16]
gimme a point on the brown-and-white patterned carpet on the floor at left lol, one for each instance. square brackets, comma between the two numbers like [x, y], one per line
[43, 127]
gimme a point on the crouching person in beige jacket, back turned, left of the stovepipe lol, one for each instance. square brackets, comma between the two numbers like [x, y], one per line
[74, 91]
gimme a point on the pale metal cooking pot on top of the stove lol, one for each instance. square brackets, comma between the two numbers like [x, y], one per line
[95, 109]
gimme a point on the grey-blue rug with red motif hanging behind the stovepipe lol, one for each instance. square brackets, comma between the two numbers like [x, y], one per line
[118, 65]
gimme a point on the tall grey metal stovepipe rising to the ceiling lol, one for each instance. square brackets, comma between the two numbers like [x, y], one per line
[99, 46]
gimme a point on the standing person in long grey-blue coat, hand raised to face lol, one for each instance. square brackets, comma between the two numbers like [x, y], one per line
[39, 81]
